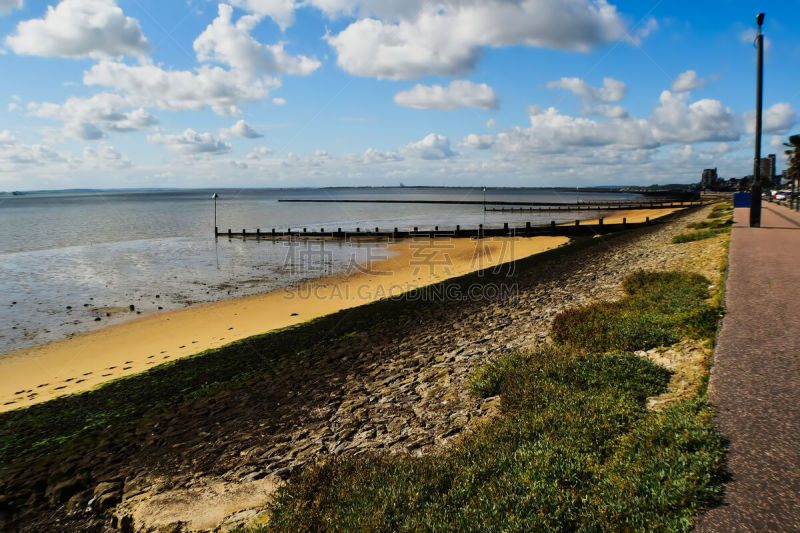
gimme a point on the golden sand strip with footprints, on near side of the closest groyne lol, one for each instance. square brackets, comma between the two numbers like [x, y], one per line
[36, 374]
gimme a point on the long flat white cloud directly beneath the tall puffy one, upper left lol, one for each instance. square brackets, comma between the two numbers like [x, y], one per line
[180, 90]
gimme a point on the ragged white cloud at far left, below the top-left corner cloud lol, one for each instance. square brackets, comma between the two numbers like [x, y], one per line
[86, 118]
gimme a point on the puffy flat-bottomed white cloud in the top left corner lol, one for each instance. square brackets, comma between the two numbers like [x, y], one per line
[80, 28]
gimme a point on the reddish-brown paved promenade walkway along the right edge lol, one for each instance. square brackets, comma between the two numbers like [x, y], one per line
[755, 381]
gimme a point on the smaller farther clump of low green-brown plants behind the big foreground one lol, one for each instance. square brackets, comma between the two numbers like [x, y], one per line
[658, 309]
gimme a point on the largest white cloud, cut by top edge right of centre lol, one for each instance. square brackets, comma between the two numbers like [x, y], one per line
[445, 38]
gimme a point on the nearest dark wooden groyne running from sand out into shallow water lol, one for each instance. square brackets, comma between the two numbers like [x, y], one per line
[575, 229]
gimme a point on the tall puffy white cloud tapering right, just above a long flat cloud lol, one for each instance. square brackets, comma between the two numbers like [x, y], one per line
[230, 43]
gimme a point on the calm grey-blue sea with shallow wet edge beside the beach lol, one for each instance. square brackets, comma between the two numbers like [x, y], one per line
[100, 252]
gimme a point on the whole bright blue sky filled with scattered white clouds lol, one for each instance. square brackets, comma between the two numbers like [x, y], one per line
[305, 93]
